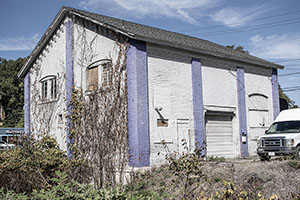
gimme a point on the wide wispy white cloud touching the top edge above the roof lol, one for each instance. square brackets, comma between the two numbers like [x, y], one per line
[185, 10]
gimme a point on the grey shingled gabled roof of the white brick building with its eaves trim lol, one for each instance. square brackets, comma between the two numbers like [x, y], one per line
[148, 34]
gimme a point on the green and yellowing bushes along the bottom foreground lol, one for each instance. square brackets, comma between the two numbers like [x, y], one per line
[39, 170]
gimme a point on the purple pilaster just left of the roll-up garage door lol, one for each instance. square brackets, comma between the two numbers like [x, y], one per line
[198, 105]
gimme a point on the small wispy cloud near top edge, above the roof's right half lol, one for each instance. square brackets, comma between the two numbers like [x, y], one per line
[234, 17]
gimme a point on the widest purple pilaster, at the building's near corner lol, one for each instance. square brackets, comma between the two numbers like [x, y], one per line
[138, 118]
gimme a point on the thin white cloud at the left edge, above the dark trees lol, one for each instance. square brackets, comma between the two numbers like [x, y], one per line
[20, 43]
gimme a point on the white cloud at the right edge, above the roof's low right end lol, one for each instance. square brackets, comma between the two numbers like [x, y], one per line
[285, 46]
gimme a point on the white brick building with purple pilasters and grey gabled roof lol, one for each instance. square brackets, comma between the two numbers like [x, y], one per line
[179, 87]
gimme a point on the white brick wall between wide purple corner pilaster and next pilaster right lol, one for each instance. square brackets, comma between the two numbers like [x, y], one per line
[170, 87]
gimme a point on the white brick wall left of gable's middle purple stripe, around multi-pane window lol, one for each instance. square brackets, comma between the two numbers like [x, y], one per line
[51, 62]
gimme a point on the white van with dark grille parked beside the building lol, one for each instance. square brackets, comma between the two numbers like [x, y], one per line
[283, 136]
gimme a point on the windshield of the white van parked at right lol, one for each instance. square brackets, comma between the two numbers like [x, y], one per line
[284, 127]
